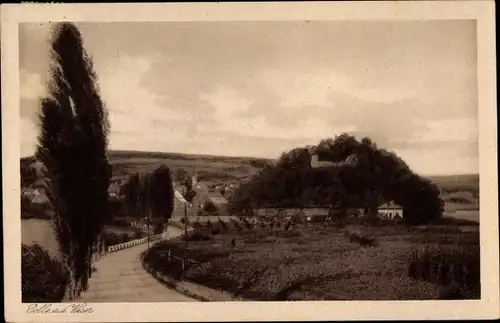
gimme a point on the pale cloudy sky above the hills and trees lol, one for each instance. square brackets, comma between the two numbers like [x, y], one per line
[262, 88]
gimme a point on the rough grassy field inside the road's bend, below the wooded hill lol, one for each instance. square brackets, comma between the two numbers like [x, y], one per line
[317, 262]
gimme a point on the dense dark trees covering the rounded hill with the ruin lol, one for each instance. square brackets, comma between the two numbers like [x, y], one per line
[364, 176]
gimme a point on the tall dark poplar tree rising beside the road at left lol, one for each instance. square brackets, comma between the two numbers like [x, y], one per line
[72, 146]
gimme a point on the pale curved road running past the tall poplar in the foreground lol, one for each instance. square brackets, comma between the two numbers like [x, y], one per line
[120, 277]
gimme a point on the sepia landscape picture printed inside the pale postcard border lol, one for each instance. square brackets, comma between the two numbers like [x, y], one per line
[249, 161]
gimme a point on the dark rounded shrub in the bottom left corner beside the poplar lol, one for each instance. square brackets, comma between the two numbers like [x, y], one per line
[44, 279]
